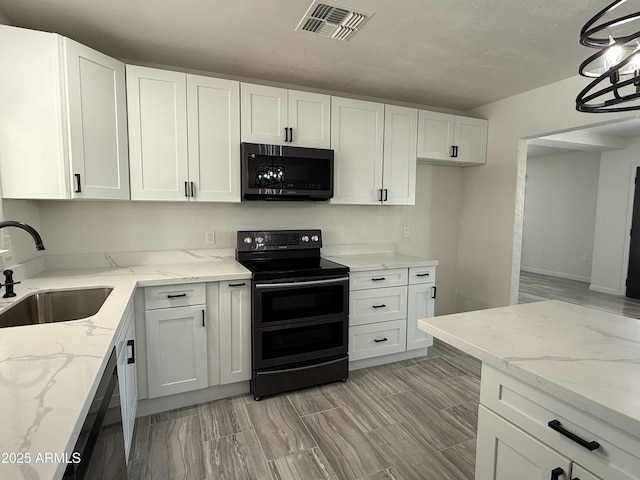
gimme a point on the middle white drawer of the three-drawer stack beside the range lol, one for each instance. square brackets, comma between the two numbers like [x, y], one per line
[377, 305]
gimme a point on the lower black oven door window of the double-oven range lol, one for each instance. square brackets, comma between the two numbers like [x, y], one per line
[302, 340]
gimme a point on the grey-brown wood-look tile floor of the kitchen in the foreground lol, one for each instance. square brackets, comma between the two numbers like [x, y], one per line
[414, 419]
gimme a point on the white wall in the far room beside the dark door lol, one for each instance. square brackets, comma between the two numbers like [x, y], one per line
[613, 219]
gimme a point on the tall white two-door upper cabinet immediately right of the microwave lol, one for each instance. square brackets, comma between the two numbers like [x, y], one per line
[375, 152]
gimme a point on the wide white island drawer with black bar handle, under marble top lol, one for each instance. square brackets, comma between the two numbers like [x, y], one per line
[532, 410]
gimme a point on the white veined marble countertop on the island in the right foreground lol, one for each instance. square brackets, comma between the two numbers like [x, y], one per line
[586, 357]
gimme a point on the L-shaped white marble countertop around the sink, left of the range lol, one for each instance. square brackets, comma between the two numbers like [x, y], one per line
[49, 373]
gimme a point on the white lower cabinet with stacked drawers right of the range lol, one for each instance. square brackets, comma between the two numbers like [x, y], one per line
[384, 308]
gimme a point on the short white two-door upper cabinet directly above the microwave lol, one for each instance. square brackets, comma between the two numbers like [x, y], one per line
[278, 116]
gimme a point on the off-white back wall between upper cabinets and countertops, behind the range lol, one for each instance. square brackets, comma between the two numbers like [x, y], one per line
[70, 227]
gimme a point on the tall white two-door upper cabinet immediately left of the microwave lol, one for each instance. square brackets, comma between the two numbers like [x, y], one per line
[184, 136]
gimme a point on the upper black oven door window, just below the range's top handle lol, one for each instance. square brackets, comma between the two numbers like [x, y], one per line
[302, 303]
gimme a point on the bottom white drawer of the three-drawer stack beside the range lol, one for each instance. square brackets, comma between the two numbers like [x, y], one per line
[366, 341]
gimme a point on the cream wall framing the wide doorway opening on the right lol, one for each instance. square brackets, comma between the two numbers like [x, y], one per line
[489, 248]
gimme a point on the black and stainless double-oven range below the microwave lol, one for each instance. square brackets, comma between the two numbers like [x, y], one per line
[299, 311]
